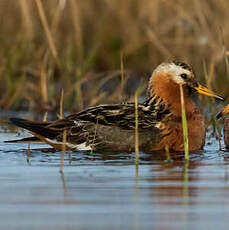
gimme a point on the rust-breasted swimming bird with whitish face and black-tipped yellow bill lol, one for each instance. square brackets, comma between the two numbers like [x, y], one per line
[112, 127]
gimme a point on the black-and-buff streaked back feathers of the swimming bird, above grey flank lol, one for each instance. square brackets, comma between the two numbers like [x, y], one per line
[123, 115]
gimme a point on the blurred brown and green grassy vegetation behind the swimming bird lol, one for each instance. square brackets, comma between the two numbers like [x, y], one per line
[101, 51]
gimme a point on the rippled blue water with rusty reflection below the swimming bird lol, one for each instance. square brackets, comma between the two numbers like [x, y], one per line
[107, 191]
